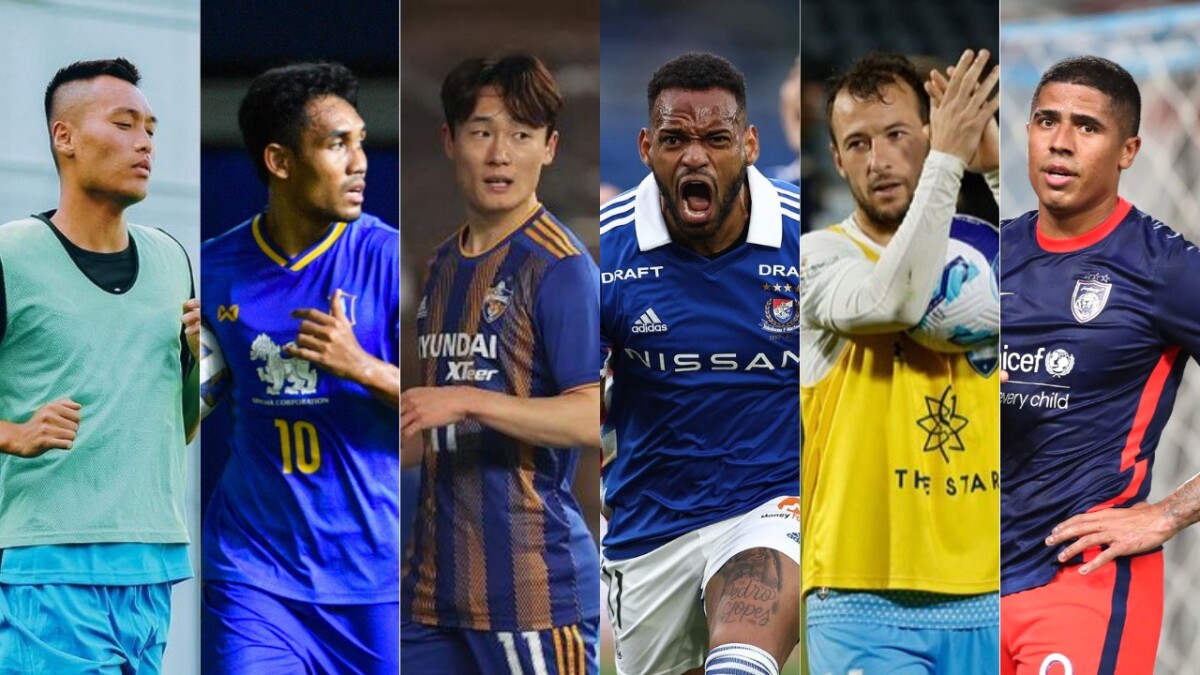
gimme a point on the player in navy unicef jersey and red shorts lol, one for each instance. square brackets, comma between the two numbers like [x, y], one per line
[1101, 315]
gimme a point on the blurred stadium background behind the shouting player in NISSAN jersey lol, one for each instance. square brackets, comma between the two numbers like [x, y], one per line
[761, 38]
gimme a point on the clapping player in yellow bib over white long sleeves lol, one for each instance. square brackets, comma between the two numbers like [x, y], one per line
[901, 457]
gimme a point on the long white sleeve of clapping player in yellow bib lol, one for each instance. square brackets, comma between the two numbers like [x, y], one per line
[850, 295]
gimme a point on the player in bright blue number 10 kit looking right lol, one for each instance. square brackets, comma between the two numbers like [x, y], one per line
[302, 536]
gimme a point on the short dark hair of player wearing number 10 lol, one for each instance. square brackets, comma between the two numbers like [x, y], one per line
[275, 110]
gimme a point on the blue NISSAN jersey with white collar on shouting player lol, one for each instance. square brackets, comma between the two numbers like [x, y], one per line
[704, 417]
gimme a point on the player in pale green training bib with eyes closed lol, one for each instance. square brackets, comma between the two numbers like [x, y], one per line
[94, 417]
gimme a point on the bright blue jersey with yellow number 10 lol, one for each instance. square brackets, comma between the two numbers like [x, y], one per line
[308, 506]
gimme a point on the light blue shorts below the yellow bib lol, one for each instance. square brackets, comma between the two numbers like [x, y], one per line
[902, 634]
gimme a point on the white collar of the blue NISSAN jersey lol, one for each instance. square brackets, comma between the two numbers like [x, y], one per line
[766, 219]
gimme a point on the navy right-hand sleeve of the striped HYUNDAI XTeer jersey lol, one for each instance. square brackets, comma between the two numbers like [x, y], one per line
[567, 314]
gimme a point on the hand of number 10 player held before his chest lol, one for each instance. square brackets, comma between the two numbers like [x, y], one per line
[328, 342]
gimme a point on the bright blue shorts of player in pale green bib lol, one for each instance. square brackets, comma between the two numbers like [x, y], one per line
[69, 629]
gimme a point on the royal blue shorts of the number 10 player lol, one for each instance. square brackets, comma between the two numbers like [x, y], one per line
[248, 631]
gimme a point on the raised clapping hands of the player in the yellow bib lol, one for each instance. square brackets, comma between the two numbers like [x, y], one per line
[963, 107]
